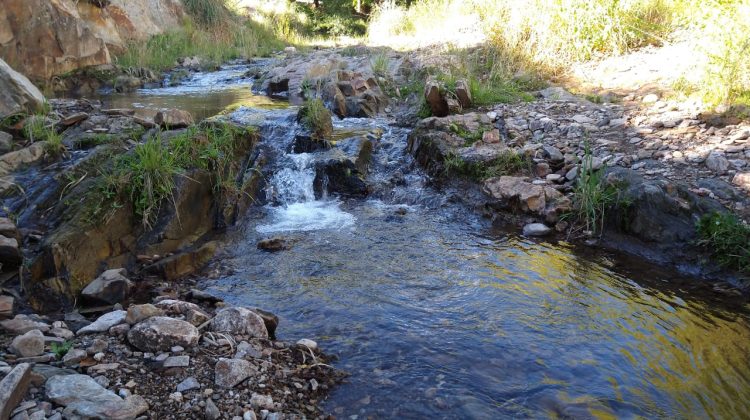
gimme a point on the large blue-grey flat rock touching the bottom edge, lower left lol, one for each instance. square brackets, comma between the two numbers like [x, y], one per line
[83, 396]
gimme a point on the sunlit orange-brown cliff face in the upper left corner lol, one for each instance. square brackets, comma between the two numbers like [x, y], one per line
[44, 38]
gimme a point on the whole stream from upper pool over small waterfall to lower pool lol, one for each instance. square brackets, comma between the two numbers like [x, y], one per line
[435, 313]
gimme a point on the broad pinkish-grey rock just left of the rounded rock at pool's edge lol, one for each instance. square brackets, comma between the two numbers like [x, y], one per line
[162, 333]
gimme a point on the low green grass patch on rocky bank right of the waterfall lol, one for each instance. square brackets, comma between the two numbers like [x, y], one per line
[507, 163]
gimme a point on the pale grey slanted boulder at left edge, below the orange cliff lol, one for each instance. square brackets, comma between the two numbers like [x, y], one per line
[17, 93]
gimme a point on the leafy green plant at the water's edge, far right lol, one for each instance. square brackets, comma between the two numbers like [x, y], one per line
[728, 239]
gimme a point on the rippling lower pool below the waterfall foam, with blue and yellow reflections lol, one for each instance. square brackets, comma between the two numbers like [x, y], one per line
[433, 320]
